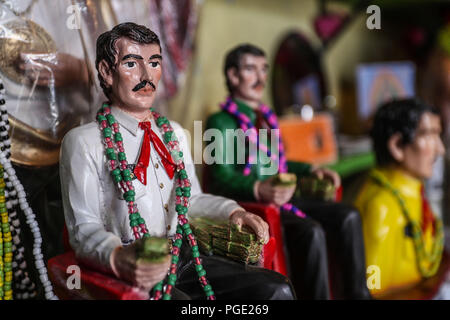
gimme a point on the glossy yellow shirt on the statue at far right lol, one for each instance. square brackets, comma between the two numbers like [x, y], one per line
[386, 243]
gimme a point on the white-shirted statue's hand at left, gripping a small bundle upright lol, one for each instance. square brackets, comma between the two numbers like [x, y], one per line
[140, 272]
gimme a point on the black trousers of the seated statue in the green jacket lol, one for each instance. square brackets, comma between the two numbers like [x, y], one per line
[326, 247]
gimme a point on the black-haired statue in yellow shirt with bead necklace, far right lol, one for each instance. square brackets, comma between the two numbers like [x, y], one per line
[403, 240]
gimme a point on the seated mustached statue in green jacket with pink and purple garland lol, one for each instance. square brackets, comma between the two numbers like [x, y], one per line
[248, 164]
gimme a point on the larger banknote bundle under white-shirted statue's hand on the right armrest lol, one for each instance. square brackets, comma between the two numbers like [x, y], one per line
[225, 239]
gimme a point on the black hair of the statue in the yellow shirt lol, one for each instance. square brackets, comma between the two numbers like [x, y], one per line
[396, 116]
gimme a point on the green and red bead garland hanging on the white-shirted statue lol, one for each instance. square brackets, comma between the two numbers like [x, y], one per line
[118, 166]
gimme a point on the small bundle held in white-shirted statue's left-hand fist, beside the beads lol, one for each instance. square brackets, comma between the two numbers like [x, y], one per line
[152, 249]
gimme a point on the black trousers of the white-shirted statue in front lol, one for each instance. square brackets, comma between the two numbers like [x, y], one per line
[230, 280]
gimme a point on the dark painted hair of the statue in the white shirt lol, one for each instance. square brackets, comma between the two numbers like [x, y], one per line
[106, 45]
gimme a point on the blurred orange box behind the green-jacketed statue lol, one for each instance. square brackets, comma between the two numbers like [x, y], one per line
[309, 141]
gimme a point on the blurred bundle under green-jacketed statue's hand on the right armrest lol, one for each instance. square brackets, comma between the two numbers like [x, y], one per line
[313, 188]
